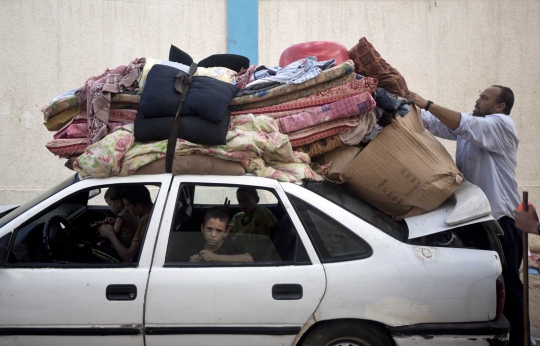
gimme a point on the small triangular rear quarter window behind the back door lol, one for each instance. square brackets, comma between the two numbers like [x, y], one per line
[333, 241]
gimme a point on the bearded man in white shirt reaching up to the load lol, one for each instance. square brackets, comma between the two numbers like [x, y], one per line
[486, 154]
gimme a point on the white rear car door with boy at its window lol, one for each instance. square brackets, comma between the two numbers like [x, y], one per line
[261, 303]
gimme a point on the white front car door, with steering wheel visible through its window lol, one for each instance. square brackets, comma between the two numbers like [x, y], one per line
[75, 303]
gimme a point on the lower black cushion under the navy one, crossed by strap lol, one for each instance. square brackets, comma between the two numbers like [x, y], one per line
[193, 129]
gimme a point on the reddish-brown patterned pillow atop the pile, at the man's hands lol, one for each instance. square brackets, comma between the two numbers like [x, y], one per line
[368, 62]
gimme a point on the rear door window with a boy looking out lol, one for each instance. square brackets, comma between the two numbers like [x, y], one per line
[254, 229]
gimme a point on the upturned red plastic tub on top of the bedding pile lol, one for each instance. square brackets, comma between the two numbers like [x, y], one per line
[323, 50]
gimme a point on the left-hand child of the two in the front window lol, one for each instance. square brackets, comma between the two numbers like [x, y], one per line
[124, 224]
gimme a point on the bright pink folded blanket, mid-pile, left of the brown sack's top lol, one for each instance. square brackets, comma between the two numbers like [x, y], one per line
[348, 107]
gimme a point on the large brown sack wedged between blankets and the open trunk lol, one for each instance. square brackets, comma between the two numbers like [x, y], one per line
[404, 171]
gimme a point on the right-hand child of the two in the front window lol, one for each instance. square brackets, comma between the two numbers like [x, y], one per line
[137, 202]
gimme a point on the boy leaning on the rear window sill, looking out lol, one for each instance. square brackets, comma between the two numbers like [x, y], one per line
[217, 247]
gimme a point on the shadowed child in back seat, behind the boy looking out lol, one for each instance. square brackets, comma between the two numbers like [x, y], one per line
[252, 219]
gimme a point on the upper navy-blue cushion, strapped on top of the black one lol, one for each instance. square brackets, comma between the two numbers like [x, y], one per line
[207, 97]
